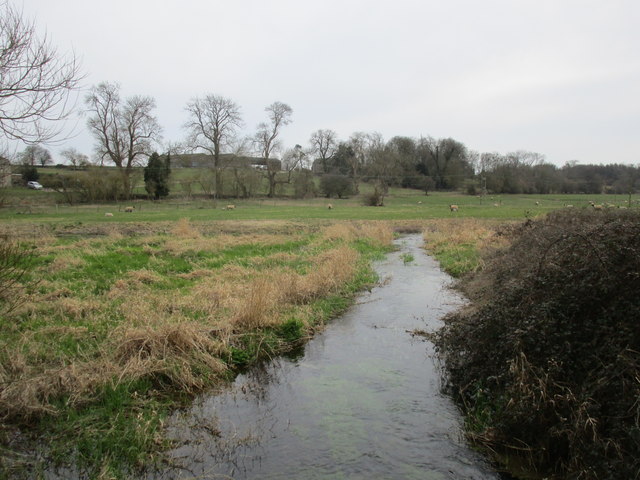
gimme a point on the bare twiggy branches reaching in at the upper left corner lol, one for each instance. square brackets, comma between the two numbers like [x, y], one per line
[37, 84]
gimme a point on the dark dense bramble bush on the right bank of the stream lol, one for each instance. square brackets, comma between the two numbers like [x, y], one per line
[546, 360]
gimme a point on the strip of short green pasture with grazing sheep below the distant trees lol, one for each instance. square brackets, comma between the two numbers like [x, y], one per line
[399, 205]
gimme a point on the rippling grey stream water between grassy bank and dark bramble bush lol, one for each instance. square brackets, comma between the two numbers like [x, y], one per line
[361, 401]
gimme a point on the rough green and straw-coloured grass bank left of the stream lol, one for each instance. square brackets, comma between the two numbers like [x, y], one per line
[121, 328]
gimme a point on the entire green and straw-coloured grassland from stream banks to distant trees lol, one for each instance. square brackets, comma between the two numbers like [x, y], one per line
[128, 316]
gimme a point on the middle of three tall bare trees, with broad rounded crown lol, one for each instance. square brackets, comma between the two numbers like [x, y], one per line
[212, 126]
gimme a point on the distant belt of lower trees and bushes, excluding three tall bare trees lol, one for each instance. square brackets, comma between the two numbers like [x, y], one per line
[333, 168]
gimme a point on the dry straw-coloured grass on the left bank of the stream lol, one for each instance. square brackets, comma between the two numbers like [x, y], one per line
[170, 335]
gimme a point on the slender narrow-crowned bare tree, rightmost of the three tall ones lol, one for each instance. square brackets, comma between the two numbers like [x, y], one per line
[267, 141]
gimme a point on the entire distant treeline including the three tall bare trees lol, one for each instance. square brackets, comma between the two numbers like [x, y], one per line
[233, 164]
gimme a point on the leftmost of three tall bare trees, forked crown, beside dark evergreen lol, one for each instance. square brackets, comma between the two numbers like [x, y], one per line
[124, 130]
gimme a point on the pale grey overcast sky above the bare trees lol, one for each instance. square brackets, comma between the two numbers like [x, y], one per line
[557, 77]
